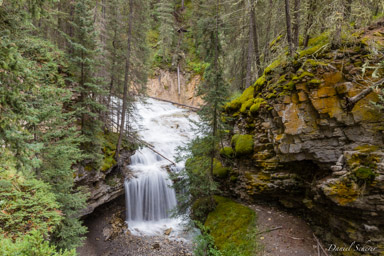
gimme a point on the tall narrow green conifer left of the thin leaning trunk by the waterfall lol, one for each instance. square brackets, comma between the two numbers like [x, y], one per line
[82, 52]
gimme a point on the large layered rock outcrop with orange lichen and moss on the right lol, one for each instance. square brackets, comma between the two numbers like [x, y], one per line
[311, 152]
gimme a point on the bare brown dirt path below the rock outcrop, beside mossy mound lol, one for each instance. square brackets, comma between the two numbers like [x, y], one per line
[293, 236]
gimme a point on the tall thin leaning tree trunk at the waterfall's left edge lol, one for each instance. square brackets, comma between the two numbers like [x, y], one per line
[126, 79]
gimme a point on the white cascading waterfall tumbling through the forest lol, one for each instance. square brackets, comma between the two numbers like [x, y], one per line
[149, 196]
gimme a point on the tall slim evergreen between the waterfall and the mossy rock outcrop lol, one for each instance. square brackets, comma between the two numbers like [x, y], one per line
[202, 155]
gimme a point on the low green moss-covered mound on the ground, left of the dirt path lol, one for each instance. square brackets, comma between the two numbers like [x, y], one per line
[233, 227]
